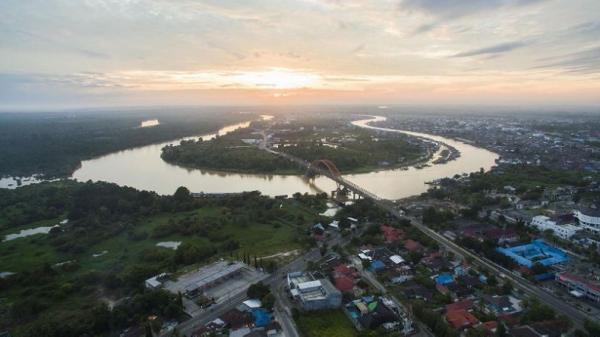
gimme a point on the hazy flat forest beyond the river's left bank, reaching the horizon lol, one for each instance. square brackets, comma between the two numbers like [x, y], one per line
[54, 144]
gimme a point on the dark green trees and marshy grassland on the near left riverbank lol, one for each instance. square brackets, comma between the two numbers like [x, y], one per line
[63, 281]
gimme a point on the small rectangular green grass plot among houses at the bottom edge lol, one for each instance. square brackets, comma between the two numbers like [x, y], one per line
[331, 323]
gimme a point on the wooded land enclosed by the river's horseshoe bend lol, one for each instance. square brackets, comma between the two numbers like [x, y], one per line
[352, 150]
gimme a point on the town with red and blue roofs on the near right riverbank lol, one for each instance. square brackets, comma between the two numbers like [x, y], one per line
[371, 273]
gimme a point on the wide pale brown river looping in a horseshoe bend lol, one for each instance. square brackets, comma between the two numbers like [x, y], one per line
[143, 168]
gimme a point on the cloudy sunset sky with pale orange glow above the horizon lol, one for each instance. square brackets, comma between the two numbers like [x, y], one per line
[87, 53]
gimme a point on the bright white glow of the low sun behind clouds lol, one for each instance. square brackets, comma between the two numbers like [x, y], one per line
[277, 79]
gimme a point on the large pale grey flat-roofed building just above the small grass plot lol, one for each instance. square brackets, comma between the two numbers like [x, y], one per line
[313, 294]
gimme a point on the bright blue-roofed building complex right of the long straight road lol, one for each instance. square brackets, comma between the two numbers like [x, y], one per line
[535, 252]
